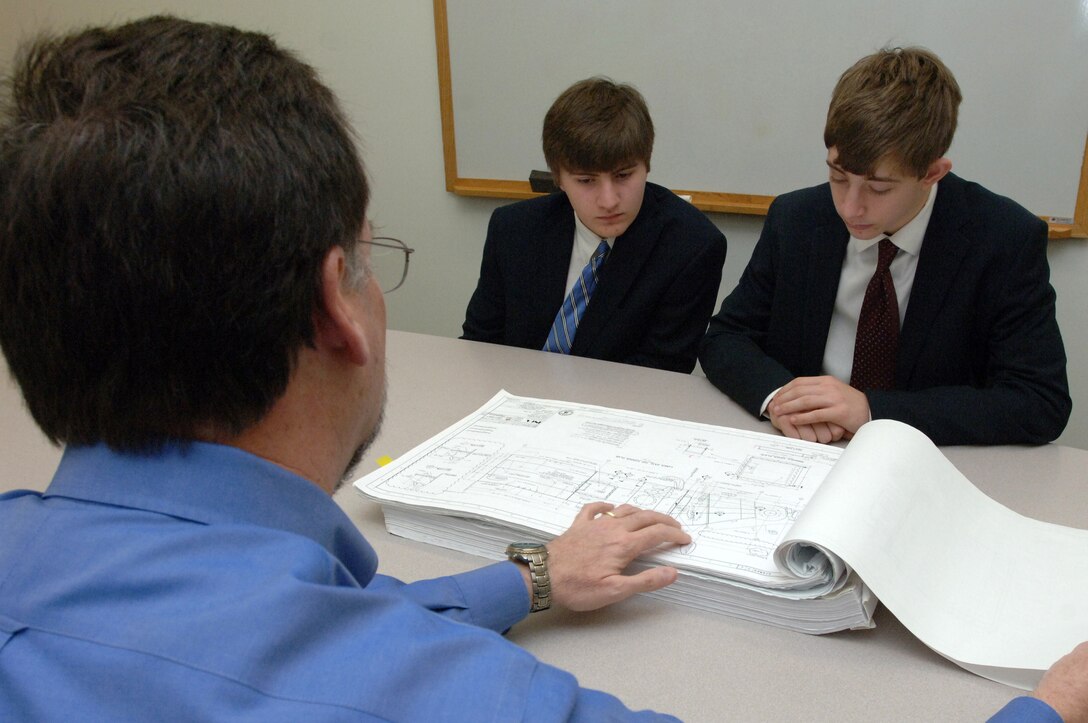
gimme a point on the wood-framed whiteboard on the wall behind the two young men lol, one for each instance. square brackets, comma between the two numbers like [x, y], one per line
[739, 90]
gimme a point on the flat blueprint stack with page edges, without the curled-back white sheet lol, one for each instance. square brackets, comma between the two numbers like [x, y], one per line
[523, 468]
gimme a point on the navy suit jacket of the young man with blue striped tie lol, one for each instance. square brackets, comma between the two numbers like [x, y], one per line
[654, 296]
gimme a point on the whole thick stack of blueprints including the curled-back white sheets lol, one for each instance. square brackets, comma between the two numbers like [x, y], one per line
[784, 532]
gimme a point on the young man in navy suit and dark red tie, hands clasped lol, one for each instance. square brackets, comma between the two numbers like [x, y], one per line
[978, 358]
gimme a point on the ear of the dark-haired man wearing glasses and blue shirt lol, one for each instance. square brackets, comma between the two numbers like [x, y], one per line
[338, 322]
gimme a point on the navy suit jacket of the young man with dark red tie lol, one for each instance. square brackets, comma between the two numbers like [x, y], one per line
[981, 357]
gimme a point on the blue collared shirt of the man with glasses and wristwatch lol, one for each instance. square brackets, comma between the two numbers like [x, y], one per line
[205, 583]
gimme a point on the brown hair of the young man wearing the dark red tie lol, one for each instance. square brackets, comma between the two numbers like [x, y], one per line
[899, 104]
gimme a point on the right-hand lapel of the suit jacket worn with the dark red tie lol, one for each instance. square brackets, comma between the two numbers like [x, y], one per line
[943, 252]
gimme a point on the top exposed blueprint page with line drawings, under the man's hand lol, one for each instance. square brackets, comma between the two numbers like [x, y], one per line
[536, 464]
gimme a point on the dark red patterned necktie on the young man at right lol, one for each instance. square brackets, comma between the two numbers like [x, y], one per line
[877, 329]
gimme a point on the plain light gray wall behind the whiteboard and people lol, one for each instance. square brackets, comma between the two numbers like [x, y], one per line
[380, 58]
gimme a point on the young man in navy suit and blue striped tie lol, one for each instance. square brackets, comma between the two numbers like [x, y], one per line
[657, 286]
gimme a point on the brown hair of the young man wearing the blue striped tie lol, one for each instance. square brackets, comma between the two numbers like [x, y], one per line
[598, 126]
